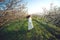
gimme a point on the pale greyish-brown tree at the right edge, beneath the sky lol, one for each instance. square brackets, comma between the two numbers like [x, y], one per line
[53, 15]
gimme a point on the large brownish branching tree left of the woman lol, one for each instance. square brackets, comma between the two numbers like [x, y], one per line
[14, 9]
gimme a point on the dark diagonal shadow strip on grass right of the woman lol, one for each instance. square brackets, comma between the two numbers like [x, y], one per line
[46, 26]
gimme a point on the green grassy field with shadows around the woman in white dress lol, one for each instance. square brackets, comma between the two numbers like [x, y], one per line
[18, 30]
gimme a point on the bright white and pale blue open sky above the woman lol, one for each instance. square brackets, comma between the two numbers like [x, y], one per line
[35, 6]
